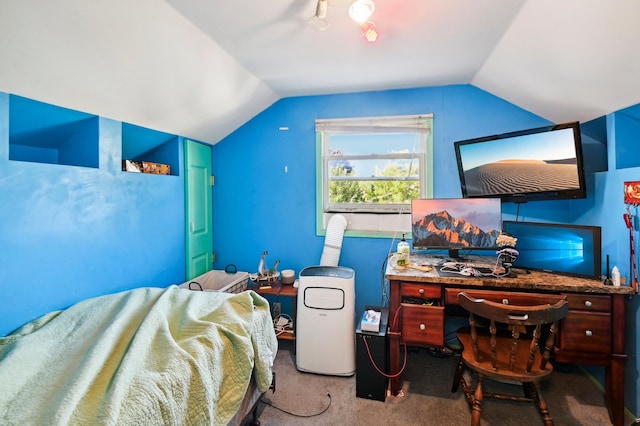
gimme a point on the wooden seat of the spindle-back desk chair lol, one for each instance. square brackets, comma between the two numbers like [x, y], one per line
[503, 349]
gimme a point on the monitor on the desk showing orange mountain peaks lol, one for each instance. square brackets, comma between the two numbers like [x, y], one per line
[455, 224]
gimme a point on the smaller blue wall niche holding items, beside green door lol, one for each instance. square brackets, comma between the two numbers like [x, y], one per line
[140, 144]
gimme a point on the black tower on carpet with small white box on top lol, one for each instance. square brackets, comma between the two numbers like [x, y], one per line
[372, 350]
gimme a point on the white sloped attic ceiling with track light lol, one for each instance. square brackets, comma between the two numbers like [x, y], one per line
[202, 68]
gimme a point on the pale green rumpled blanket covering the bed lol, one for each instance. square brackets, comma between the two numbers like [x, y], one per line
[148, 356]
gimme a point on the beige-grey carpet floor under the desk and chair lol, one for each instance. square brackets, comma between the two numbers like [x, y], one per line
[301, 398]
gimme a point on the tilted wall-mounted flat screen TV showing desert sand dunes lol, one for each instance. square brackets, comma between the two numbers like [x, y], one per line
[544, 163]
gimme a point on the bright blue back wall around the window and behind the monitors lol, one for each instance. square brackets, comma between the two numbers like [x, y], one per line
[259, 206]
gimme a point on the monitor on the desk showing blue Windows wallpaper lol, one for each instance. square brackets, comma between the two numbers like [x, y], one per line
[564, 249]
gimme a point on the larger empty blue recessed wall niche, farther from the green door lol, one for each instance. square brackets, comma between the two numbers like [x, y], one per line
[45, 133]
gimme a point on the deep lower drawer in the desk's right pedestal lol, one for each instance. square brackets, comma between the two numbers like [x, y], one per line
[585, 332]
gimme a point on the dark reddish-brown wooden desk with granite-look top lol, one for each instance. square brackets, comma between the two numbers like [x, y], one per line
[592, 333]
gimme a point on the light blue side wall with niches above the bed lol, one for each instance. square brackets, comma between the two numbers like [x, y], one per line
[68, 233]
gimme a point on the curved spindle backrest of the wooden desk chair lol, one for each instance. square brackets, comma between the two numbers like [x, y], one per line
[516, 318]
